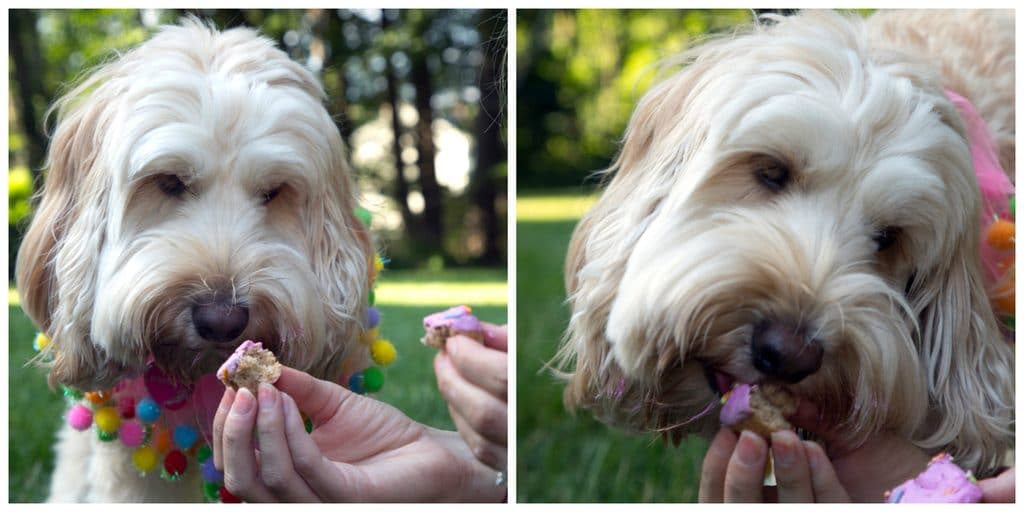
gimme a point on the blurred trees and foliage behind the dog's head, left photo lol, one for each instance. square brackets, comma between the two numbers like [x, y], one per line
[358, 58]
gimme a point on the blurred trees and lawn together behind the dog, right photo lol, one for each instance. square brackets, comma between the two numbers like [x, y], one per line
[580, 75]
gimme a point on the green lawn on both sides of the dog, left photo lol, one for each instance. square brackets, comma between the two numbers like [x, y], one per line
[404, 298]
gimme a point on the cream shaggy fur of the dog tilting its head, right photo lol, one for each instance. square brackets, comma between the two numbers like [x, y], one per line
[688, 249]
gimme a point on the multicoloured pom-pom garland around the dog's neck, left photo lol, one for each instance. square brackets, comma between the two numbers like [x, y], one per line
[155, 416]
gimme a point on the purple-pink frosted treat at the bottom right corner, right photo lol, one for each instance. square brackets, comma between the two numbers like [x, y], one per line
[944, 482]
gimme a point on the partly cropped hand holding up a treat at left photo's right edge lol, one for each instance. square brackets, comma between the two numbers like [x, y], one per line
[474, 379]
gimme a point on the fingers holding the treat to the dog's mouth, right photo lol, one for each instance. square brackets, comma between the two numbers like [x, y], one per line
[734, 471]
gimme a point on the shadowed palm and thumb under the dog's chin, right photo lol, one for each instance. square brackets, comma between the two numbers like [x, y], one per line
[868, 471]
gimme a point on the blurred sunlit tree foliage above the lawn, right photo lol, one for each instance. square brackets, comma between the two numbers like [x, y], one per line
[580, 74]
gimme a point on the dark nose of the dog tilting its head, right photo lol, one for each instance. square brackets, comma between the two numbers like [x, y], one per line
[785, 353]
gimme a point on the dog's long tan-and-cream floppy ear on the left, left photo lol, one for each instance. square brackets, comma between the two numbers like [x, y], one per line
[59, 258]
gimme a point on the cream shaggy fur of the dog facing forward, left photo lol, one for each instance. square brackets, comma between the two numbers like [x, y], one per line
[115, 260]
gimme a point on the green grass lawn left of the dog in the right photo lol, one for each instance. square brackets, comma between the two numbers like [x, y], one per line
[562, 458]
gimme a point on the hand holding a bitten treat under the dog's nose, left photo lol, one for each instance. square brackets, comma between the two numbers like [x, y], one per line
[361, 450]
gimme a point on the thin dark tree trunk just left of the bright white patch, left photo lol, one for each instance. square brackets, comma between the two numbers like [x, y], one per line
[433, 216]
